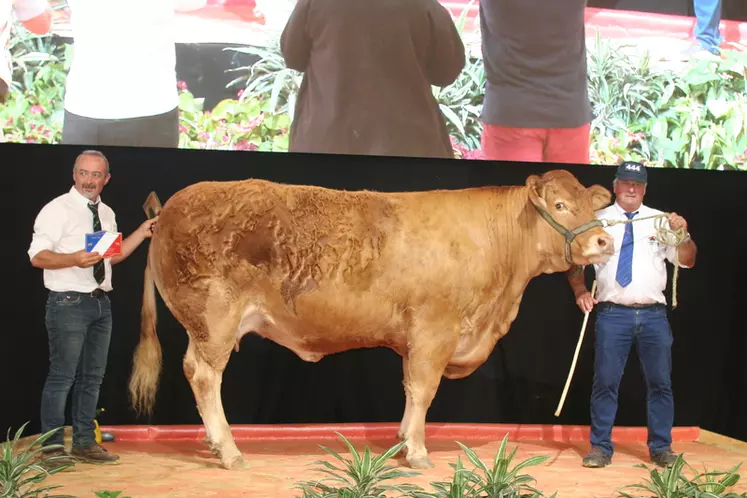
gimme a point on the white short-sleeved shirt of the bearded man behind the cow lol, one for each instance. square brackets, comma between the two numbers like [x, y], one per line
[61, 226]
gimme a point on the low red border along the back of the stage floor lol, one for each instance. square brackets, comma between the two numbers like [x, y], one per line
[379, 431]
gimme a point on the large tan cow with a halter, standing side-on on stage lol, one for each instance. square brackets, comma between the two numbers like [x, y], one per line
[435, 276]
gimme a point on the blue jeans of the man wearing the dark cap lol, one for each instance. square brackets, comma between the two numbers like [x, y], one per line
[617, 328]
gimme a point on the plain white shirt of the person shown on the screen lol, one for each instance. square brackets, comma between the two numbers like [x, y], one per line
[124, 59]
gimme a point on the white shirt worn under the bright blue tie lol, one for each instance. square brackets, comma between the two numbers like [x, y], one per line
[649, 260]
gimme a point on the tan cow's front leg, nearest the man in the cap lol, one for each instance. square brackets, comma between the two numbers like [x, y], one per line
[425, 365]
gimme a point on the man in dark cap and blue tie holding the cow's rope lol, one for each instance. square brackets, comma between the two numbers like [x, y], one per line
[632, 309]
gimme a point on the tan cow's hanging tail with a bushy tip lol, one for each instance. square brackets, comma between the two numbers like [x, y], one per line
[146, 363]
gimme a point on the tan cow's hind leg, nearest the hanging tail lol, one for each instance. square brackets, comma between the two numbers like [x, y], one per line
[205, 378]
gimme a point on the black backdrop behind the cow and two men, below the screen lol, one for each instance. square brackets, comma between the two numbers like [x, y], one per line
[265, 383]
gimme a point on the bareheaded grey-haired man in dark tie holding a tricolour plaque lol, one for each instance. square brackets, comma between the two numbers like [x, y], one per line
[78, 311]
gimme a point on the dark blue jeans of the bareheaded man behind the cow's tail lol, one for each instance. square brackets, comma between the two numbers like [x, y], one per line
[79, 328]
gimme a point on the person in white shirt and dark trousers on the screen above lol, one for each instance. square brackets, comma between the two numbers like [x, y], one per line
[122, 86]
